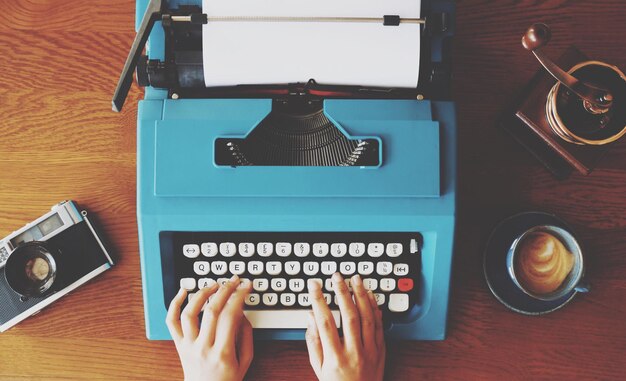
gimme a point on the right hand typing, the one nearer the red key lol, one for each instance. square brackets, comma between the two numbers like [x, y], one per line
[360, 354]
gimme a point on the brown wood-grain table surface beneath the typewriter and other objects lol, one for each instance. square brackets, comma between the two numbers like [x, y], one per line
[59, 64]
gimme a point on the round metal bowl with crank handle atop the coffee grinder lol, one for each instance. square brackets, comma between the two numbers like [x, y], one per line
[587, 105]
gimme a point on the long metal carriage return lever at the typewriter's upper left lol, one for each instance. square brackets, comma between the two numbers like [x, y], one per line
[153, 13]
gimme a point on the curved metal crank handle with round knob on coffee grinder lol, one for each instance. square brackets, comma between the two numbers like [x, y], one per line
[536, 37]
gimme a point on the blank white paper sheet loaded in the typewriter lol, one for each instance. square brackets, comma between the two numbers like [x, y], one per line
[343, 53]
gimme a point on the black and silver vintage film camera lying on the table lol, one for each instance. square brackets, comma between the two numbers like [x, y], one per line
[46, 259]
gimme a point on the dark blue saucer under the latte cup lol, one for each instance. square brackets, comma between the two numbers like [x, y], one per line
[496, 272]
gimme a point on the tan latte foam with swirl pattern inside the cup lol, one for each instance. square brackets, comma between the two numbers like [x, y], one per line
[542, 263]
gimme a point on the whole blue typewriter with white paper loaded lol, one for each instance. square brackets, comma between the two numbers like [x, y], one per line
[265, 154]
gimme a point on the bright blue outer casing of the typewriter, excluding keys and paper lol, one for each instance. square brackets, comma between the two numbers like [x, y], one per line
[182, 190]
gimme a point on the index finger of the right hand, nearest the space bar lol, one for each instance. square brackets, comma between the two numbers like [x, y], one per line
[326, 327]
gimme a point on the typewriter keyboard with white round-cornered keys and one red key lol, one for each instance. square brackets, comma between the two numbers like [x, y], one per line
[280, 264]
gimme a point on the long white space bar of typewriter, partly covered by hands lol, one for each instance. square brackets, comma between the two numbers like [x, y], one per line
[283, 319]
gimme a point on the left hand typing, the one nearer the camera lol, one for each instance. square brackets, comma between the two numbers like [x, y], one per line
[219, 349]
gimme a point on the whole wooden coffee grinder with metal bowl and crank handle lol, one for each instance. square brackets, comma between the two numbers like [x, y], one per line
[576, 114]
